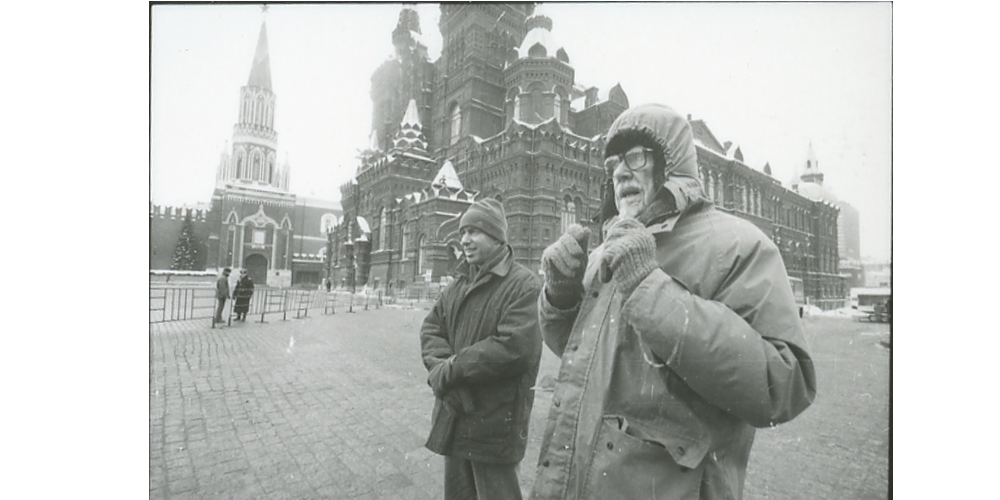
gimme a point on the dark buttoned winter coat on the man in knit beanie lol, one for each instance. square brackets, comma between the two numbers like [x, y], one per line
[490, 324]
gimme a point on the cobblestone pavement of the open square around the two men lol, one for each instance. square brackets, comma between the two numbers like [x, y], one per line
[337, 406]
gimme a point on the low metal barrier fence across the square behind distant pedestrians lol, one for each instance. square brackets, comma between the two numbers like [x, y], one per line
[186, 303]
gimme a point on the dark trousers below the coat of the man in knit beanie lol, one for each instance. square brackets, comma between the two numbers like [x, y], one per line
[465, 480]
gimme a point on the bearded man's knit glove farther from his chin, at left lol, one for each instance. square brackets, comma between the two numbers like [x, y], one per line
[563, 263]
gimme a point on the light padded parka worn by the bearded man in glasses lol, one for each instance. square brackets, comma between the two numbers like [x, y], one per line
[659, 393]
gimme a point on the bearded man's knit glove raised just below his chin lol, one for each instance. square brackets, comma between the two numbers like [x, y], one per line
[629, 255]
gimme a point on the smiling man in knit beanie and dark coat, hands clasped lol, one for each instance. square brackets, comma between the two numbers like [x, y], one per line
[481, 346]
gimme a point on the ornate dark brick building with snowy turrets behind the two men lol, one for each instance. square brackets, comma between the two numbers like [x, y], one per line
[500, 114]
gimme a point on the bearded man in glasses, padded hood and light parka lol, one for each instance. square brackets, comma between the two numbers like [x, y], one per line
[689, 337]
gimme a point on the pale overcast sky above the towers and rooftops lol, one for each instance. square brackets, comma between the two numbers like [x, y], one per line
[769, 77]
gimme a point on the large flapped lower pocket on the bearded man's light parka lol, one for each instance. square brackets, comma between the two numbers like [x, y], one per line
[626, 466]
